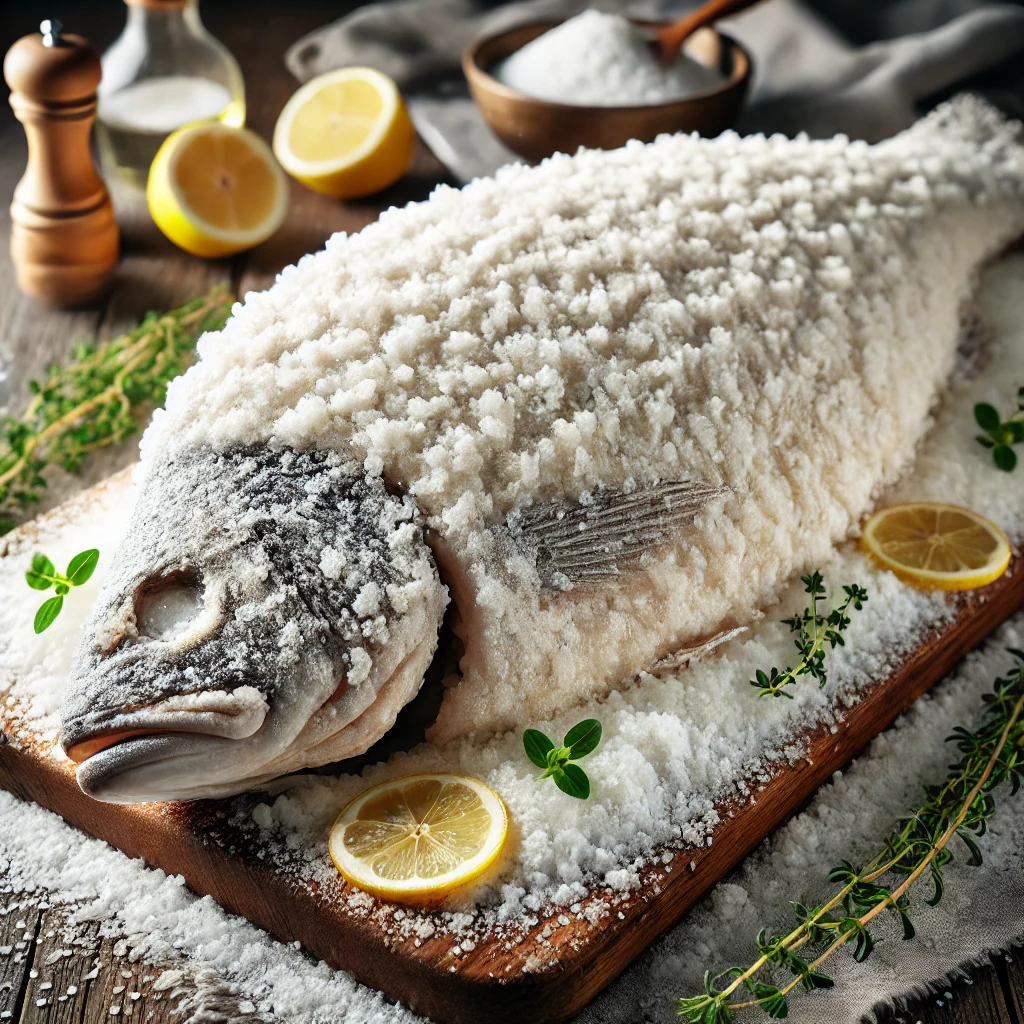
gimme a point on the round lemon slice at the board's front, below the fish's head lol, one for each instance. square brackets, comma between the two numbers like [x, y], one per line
[419, 838]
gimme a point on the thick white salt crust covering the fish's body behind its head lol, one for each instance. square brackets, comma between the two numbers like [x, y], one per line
[775, 316]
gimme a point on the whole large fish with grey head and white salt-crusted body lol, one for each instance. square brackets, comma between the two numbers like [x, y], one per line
[606, 407]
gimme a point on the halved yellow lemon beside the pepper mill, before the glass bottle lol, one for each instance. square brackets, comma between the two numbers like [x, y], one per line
[216, 191]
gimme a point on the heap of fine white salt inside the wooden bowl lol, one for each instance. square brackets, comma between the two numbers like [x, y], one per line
[600, 60]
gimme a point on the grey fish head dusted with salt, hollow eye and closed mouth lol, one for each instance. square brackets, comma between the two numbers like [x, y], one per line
[268, 611]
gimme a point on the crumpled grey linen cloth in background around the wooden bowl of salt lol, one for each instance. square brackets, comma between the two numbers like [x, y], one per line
[807, 76]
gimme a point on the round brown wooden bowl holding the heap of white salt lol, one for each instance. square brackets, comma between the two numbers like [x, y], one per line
[537, 129]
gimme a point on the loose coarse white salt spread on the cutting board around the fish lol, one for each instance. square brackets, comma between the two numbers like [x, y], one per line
[674, 748]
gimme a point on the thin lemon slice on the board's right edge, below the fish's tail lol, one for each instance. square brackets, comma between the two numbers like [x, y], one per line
[945, 547]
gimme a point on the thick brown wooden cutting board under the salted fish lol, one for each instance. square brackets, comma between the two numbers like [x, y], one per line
[531, 975]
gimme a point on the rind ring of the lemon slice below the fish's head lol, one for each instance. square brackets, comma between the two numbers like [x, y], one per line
[437, 888]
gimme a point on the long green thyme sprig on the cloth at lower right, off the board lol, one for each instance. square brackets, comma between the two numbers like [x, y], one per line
[920, 845]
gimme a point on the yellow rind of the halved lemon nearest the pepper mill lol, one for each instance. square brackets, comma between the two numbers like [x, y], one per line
[199, 231]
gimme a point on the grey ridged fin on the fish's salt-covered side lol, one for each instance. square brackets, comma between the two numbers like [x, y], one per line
[598, 540]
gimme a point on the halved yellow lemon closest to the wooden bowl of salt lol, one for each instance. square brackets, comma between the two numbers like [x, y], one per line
[346, 134]
